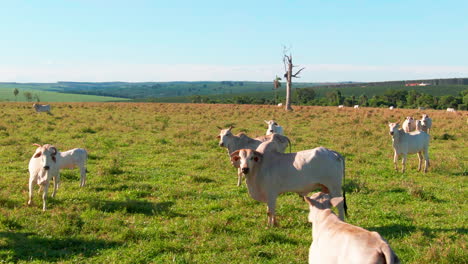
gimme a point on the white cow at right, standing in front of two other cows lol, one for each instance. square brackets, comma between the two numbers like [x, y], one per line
[409, 143]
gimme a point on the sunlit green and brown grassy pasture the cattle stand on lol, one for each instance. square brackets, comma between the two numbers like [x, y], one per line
[161, 190]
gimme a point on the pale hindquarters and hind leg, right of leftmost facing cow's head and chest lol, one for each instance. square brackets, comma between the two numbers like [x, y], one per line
[74, 158]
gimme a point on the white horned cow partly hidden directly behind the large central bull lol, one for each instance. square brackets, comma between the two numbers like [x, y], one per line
[233, 143]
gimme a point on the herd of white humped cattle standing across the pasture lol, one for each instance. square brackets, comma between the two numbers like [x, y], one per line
[268, 172]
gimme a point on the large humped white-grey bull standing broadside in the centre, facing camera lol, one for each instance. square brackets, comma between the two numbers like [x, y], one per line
[269, 173]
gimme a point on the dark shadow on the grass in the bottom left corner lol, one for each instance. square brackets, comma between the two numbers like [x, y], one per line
[29, 247]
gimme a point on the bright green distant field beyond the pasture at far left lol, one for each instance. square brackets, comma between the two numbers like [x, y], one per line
[6, 94]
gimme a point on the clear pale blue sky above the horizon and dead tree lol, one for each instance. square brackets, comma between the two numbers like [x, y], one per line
[336, 40]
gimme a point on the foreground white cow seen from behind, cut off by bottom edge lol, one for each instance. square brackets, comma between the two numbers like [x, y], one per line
[337, 242]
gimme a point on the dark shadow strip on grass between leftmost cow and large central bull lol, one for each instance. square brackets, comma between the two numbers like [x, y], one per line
[136, 207]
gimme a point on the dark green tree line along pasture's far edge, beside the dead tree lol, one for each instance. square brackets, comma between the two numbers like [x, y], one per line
[393, 97]
